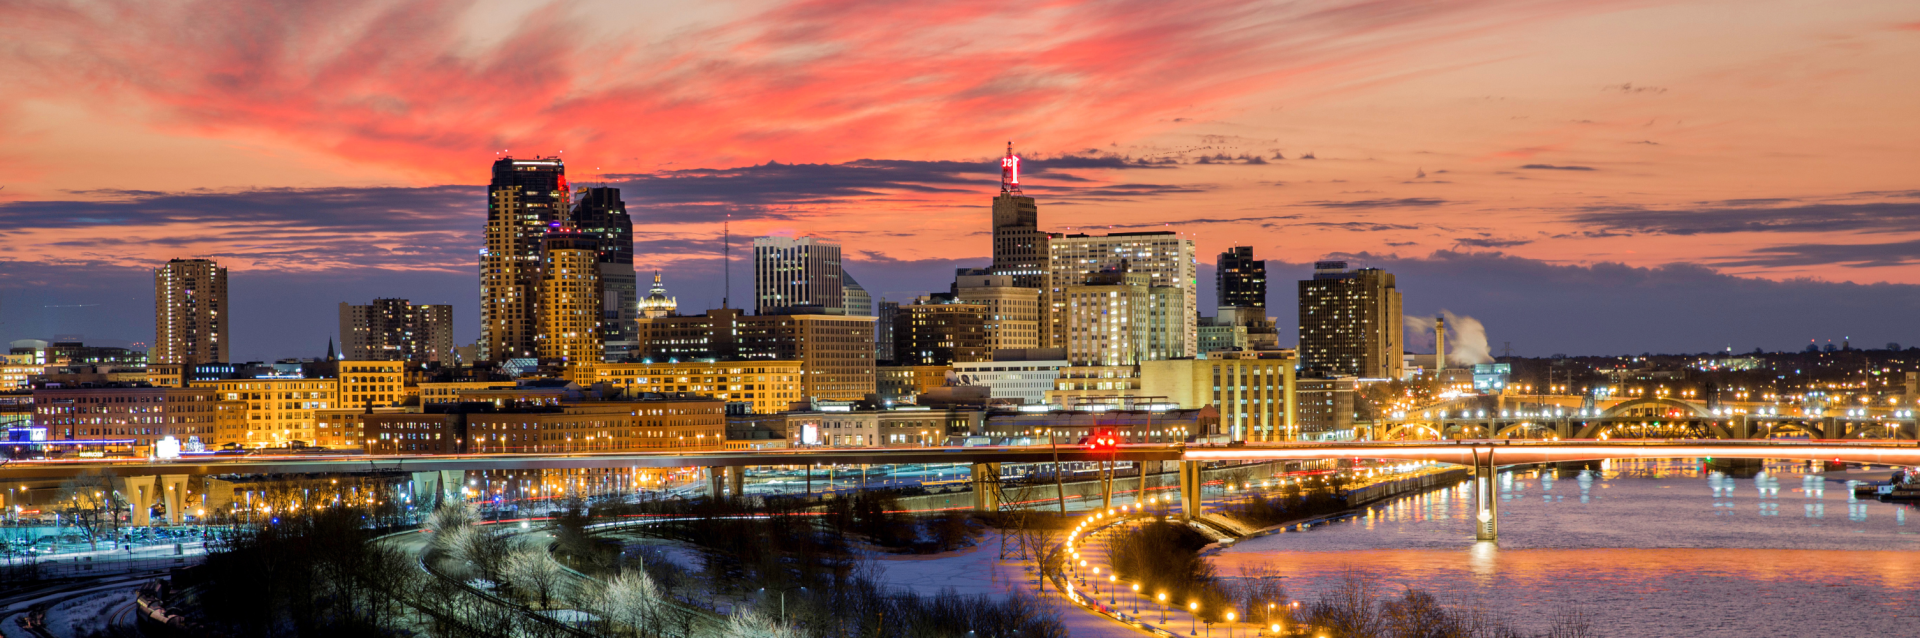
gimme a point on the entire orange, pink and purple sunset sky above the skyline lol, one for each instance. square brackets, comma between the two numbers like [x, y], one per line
[1508, 162]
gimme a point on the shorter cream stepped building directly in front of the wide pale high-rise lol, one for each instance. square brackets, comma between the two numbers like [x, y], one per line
[1124, 318]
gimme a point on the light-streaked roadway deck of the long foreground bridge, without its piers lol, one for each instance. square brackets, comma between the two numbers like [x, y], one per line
[1462, 453]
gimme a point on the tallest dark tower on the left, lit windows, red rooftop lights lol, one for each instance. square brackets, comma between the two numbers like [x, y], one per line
[523, 201]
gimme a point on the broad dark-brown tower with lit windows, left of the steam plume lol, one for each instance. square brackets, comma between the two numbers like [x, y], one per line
[1351, 322]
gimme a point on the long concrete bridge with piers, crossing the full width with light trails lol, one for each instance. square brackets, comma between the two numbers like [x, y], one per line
[1485, 456]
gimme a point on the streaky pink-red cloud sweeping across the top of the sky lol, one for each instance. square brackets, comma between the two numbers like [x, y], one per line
[404, 86]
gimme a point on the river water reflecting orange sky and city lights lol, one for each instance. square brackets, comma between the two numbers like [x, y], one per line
[1650, 549]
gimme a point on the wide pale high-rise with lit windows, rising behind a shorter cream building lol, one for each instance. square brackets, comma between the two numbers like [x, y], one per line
[1164, 258]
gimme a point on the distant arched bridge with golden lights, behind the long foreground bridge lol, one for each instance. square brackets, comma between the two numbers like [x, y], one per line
[1646, 418]
